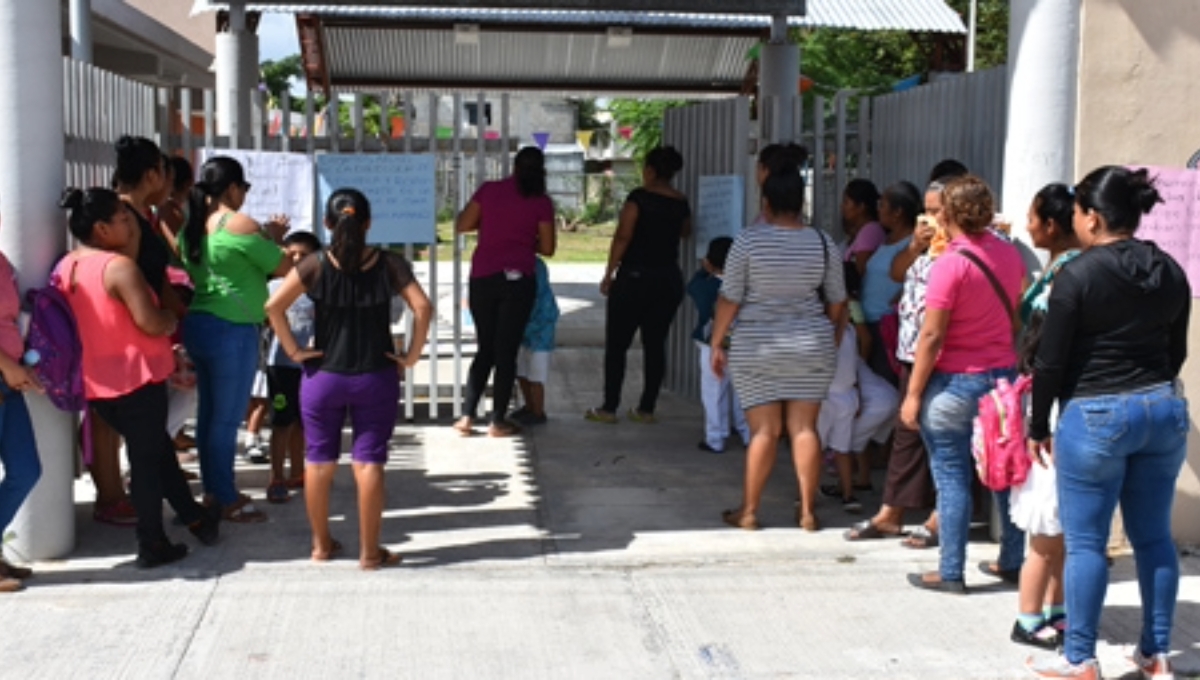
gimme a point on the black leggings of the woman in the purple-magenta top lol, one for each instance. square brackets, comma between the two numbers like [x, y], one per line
[501, 309]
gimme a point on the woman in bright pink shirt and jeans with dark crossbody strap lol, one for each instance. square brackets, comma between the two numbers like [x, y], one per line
[965, 346]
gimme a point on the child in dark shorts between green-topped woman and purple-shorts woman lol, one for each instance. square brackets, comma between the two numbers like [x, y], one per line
[284, 382]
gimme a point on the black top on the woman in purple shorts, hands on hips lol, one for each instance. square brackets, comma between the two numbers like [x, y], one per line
[353, 311]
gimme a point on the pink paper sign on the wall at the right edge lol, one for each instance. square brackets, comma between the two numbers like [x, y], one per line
[1173, 224]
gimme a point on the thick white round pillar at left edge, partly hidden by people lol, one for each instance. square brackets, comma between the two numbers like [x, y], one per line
[33, 234]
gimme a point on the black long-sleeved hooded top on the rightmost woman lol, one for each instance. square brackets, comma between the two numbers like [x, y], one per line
[1118, 321]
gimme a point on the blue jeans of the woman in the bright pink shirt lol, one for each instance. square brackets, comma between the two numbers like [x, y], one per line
[949, 408]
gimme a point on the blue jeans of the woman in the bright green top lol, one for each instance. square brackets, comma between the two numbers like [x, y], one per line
[226, 357]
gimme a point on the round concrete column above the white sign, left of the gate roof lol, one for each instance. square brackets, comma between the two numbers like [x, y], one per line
[237, 70]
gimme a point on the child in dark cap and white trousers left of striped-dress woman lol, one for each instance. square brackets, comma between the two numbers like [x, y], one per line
[717, 394]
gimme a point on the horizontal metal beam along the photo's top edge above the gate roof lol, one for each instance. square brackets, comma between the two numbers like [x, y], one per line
[790, 8]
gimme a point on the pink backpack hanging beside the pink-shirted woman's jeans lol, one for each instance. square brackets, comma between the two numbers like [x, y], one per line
[998, 441]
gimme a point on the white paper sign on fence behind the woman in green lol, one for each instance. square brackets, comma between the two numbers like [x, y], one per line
[281, 184]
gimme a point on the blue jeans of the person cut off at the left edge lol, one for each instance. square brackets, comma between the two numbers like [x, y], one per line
[19, 453]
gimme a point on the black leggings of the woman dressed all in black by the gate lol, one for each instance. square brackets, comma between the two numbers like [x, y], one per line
[645, 302]
